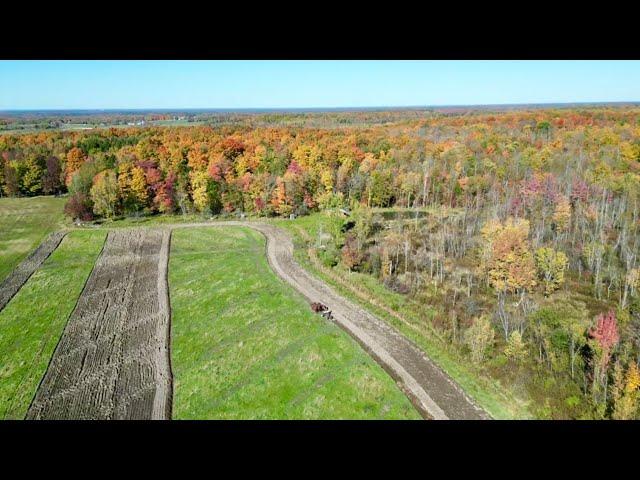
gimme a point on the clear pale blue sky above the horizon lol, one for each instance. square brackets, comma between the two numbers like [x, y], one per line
[299, 84]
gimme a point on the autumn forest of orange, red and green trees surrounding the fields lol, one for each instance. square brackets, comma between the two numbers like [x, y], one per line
[520, 228]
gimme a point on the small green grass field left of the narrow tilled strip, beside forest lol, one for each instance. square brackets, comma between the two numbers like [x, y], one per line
[24, 223]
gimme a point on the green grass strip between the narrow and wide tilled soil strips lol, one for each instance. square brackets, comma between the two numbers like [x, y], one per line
[32, 322]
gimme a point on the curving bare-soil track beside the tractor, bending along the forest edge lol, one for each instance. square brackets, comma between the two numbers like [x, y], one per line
[431, 390]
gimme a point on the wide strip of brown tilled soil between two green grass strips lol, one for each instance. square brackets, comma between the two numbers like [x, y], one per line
[112, 361]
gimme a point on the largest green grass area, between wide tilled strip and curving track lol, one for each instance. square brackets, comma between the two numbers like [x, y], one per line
[246, 346]
